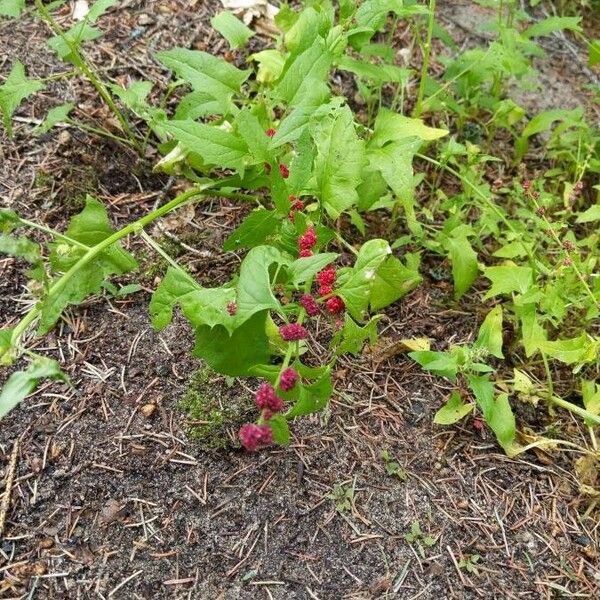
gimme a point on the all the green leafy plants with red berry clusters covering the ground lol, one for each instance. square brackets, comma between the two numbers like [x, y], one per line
[275, 131]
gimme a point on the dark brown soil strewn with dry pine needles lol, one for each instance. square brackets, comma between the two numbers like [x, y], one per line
[109, 503]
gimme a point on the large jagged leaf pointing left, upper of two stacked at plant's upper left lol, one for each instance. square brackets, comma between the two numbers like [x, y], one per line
[205, 72]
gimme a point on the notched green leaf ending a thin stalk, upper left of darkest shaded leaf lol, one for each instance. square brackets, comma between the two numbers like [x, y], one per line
[201, 306]
